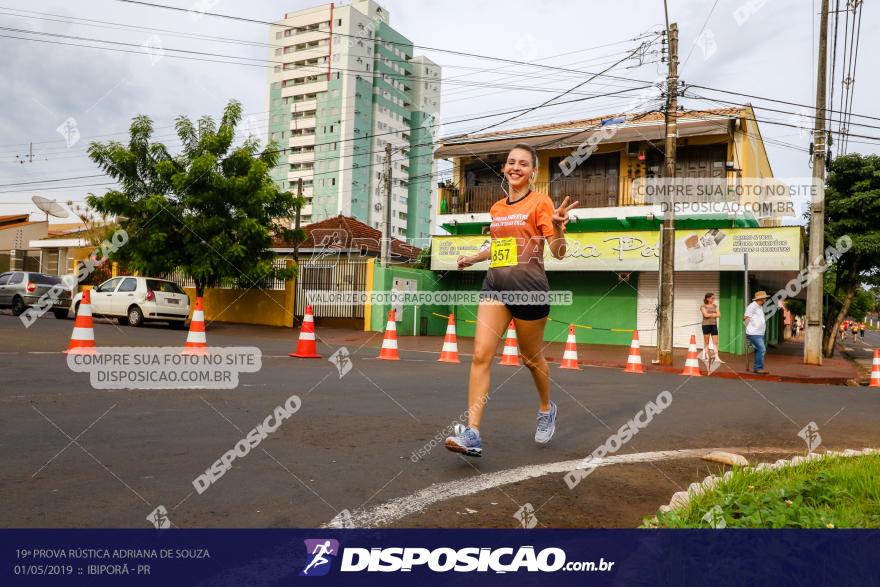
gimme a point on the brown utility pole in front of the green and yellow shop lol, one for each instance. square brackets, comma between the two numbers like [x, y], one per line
[667, 230]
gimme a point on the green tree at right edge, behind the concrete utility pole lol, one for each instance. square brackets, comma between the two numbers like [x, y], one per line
[852, 207]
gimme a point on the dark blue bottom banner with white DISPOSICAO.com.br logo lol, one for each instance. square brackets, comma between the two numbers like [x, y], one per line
[238, 557]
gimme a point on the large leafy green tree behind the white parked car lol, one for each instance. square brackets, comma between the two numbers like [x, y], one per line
[210, 210]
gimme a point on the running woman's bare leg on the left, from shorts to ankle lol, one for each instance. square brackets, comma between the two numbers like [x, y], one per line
[492, 320]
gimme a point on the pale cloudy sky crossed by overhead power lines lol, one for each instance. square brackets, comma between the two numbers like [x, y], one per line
[55, 93]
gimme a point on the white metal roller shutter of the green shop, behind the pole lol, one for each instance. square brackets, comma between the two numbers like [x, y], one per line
[690, 287]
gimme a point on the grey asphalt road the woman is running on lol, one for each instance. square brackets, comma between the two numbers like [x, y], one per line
[74, 456]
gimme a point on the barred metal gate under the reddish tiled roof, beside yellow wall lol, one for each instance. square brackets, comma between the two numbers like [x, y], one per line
[331, 274]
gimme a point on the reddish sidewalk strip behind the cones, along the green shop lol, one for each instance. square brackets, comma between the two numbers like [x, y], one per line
[784, 361]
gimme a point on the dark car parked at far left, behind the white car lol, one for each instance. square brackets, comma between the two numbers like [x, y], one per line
[20, 290]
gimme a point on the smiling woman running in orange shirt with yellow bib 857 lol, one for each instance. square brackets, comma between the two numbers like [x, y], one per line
[521, 223]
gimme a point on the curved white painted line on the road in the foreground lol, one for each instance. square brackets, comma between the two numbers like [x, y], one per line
[390, 511]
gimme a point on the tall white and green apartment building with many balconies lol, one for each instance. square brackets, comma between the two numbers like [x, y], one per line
[348, 85]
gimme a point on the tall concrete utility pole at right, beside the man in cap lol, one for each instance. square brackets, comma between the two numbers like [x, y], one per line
[813, 332]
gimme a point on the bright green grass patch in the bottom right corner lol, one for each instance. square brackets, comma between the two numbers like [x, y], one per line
[834, 492]
